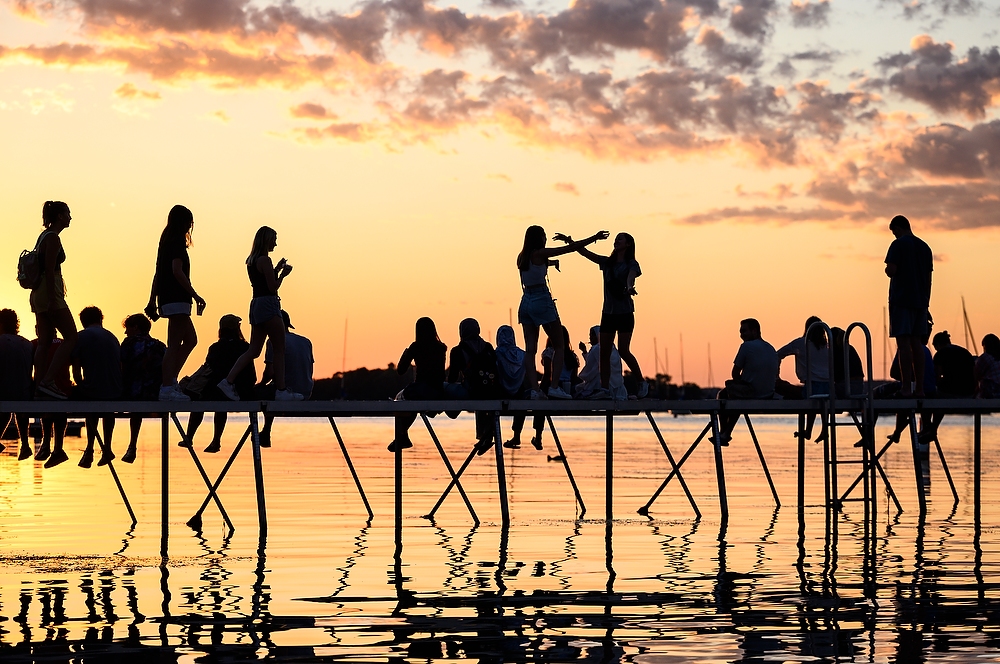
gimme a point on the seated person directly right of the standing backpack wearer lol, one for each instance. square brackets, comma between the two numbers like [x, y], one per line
[97, 370]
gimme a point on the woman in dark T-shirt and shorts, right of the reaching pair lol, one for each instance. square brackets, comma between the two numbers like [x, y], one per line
[618, 315]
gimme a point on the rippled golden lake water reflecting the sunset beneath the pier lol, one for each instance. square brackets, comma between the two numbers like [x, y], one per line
[76, 584]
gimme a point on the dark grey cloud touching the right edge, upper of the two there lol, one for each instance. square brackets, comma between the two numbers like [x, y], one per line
[930, 74]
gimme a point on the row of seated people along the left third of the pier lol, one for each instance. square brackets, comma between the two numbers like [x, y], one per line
[104, 369]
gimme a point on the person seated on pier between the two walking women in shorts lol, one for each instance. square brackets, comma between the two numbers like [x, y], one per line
[203, 384]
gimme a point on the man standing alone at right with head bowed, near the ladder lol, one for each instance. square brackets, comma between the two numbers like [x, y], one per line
[909, 264]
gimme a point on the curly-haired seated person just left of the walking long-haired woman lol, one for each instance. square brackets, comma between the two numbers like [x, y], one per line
[142, 372]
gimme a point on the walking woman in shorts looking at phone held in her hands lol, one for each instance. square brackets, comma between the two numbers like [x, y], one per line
[265, 315]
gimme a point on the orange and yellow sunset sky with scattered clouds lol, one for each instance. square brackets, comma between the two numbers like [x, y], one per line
[756, 150]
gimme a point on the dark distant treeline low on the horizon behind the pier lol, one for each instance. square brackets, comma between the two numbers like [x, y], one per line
[374, 384]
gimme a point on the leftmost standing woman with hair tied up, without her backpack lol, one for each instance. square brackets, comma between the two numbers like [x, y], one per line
[48, 302]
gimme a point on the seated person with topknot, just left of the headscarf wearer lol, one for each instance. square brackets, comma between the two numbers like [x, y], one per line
[472, 374]
